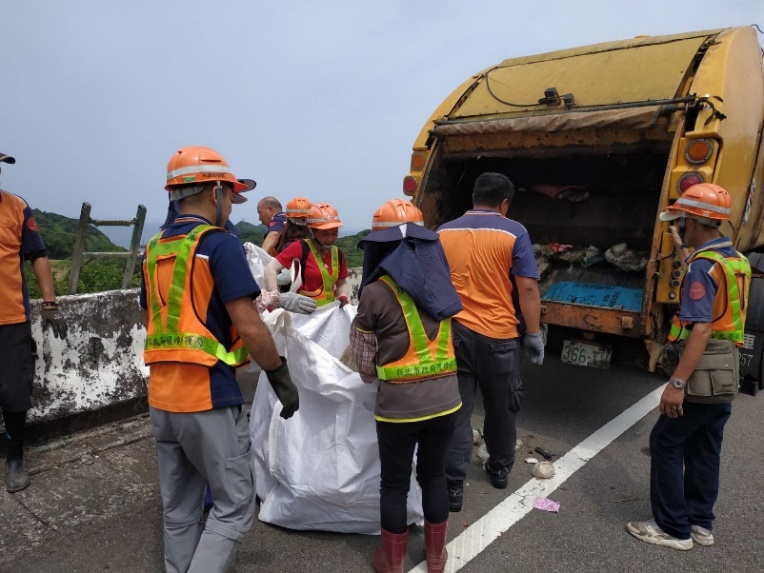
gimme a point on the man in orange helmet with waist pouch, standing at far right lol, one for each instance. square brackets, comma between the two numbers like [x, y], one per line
[702, 361]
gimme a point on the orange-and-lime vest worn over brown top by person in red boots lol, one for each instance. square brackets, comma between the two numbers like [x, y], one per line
[424, 358]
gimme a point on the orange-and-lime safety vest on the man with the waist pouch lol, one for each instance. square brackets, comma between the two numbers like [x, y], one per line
[730, 325]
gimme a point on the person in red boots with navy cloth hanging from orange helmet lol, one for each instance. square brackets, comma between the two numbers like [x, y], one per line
[401, 340]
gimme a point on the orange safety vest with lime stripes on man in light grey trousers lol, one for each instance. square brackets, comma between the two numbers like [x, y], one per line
[175, 332]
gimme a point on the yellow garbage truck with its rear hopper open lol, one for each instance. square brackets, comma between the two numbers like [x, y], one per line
[598, 140]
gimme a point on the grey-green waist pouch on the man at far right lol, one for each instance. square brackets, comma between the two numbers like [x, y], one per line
[717, 375]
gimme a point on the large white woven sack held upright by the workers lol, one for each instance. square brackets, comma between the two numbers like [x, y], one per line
[319, 470]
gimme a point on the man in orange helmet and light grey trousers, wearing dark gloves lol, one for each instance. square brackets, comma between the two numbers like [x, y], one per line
[197, 298]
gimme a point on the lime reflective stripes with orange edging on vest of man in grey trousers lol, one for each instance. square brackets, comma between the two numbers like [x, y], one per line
[164, 342]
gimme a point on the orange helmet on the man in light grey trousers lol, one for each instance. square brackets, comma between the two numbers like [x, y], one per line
[198, 164]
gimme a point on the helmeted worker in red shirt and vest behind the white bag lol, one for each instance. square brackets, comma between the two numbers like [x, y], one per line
[323, 268]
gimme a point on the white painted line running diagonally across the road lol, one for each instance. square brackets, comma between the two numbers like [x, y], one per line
[492, 525]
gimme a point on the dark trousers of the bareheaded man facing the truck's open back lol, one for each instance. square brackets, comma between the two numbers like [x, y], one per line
[493, 365]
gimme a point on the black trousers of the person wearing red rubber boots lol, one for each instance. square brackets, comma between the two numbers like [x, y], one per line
[397, 442]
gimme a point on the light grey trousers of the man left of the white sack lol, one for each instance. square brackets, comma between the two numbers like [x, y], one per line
[194, 449]
